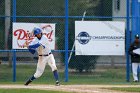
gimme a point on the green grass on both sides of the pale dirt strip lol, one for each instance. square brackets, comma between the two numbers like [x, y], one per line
[115, 76]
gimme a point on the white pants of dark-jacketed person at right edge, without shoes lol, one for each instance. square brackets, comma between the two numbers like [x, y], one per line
[135, 70]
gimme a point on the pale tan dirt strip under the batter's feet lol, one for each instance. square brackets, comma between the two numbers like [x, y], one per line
[69, 88]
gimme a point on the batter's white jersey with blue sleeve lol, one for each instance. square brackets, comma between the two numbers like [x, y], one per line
[42, 46]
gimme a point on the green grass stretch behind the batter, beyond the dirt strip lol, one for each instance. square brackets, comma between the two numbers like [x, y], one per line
[103, 76]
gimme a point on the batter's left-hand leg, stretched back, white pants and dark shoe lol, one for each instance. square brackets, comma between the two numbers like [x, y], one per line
[39, 71]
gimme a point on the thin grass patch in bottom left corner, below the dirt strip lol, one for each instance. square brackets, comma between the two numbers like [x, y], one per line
[28, 91]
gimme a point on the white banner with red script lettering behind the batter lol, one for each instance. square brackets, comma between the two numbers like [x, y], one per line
[23, 32]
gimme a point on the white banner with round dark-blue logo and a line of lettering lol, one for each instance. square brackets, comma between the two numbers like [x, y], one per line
[100, 37]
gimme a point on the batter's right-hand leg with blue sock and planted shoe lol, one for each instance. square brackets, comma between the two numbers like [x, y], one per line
[51, 63]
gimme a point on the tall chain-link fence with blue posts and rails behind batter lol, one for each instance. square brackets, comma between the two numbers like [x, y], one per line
[64, 13]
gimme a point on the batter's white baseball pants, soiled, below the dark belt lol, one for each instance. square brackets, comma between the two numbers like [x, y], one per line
[42, 61]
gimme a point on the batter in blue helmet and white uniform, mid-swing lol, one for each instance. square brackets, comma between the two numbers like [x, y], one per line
[41, 44]
